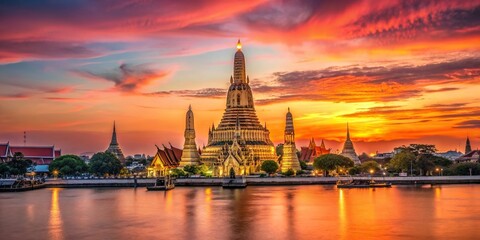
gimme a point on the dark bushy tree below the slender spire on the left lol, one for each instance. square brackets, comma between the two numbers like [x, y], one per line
[105, 163]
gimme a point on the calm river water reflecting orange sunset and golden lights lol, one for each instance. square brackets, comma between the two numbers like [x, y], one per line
[283, 212]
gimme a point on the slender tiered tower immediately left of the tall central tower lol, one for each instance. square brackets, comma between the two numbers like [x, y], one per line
[190, 154]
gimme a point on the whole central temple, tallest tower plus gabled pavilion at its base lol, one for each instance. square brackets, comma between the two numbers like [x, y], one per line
[239, 137]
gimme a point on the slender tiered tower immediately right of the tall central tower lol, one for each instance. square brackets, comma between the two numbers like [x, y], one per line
[289, 158]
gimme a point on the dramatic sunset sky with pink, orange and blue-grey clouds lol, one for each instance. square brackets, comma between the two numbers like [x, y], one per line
[398, 72]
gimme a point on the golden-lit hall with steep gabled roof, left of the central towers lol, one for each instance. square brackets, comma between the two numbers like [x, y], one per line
[164, 161]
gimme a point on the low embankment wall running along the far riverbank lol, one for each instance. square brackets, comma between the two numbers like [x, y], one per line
[256, 181]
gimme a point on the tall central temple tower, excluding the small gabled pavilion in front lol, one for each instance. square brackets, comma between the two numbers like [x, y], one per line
[239, 104]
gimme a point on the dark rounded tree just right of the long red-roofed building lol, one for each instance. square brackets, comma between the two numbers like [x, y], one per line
[68, 165]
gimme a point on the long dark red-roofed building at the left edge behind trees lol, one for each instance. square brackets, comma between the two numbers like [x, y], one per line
[40, 155]
